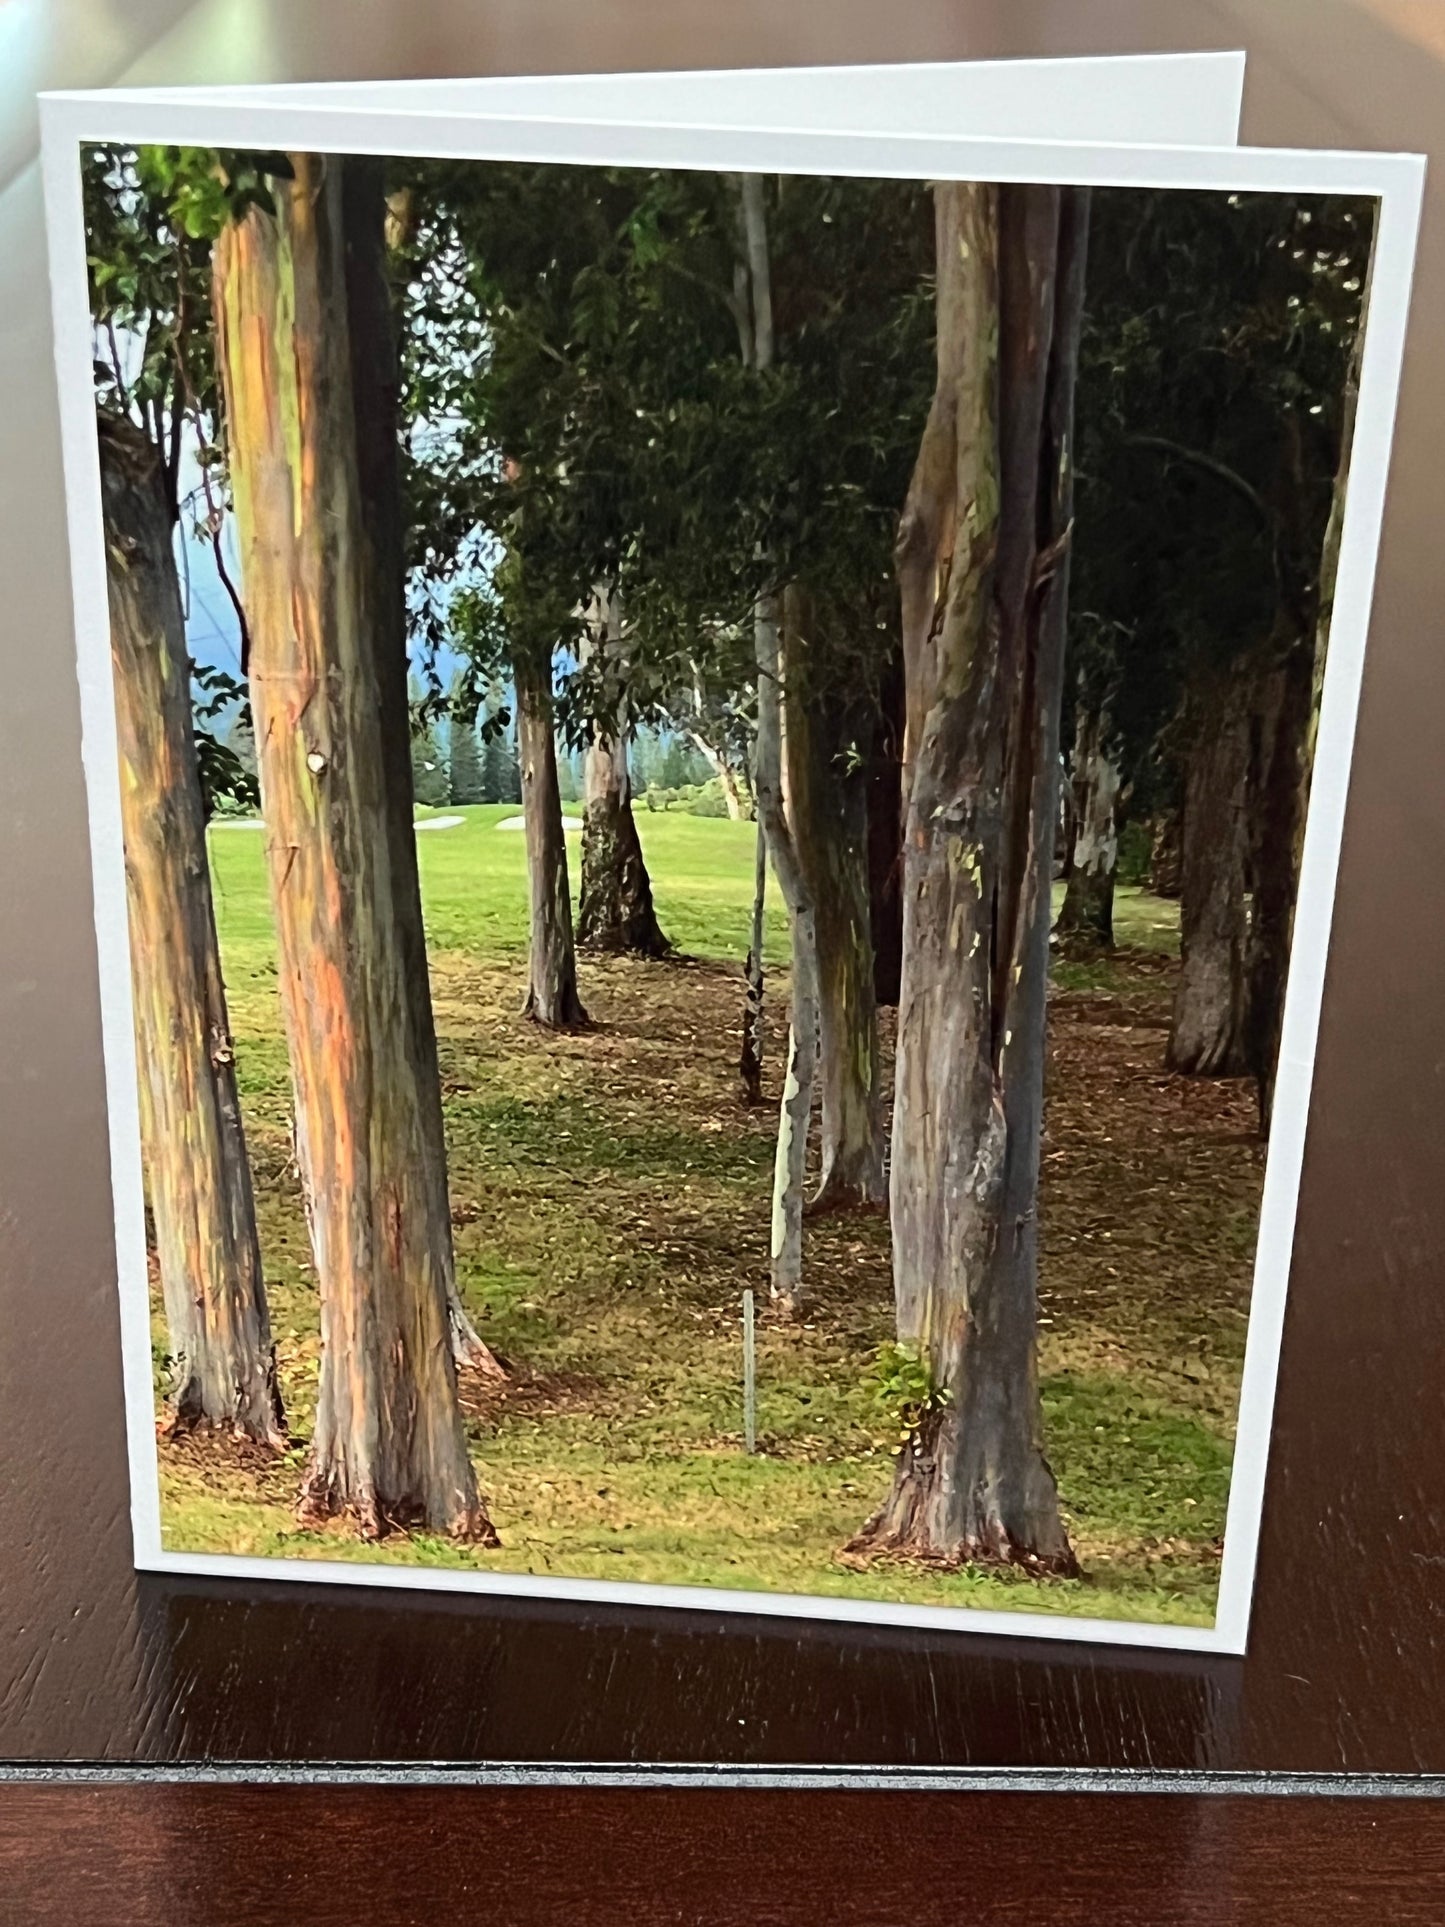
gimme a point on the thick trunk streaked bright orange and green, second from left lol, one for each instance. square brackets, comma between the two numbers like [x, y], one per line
[388, 1446]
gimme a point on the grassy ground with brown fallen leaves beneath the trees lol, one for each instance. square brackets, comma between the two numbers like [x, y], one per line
[612, 1201]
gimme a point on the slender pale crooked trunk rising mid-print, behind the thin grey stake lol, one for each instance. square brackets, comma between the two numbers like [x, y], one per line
[797, 1109]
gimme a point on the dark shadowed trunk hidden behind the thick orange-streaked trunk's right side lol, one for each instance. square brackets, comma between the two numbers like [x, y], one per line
[377, 402]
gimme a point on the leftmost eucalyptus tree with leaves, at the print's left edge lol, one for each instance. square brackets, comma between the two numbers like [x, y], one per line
[149, 223]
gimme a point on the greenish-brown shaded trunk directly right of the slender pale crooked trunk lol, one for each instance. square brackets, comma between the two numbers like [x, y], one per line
[828, 810]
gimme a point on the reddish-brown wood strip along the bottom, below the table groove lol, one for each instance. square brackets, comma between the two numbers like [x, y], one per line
[334, 1857]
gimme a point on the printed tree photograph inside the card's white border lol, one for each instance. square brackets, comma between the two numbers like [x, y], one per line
[714, 774]
